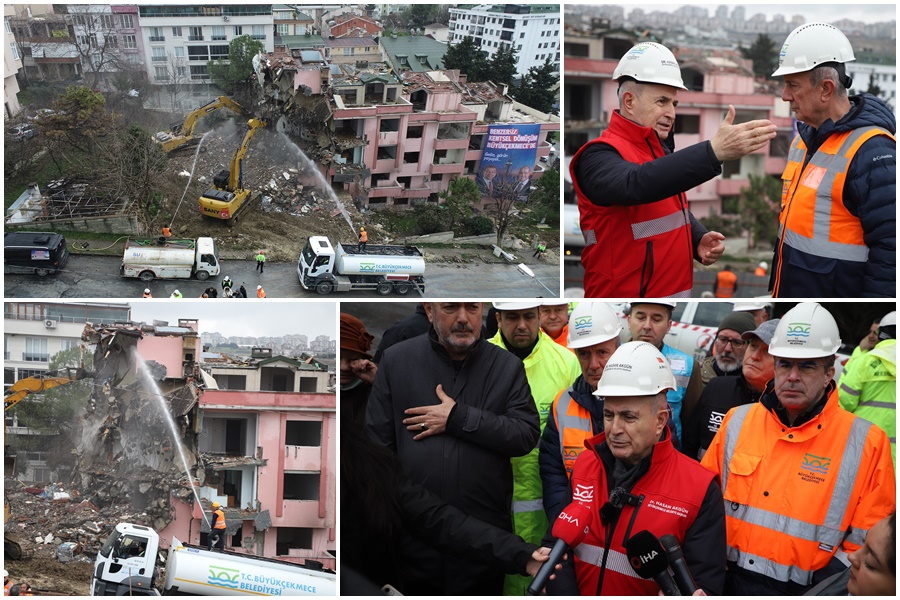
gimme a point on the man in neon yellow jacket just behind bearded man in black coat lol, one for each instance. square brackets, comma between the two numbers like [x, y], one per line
[549, 367]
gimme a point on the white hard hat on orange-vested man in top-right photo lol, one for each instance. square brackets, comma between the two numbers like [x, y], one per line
[811, 45]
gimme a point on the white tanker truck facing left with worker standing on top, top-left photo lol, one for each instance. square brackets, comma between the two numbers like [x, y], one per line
[384, 269]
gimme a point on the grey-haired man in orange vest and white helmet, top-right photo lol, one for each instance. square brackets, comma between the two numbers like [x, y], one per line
[838, 233]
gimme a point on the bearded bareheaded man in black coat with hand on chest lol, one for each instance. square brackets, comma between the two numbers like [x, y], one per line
[455, 409]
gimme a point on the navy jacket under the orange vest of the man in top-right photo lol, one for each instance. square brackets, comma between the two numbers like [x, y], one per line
[870, 194]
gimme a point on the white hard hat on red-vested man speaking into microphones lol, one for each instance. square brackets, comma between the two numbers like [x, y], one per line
[635, 369]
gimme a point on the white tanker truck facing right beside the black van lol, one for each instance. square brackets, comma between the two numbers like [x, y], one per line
[169, 258]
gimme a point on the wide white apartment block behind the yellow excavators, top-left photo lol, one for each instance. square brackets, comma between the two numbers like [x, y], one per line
[181, 39]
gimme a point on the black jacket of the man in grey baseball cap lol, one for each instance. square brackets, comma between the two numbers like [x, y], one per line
[720, 395]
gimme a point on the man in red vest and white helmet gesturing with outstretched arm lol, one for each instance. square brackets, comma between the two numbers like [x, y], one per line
[640, 237]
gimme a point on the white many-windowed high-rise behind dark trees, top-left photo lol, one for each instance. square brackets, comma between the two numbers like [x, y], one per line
[532, 29]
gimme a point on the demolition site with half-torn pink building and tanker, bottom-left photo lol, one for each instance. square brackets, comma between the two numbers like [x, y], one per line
[166, 436]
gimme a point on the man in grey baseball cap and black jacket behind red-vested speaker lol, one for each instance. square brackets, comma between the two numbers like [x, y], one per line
[724, 393]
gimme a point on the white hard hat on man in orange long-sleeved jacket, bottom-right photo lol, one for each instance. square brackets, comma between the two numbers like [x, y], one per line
[805, 331]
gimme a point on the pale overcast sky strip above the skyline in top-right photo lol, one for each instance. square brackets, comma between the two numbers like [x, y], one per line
[814, 11]
